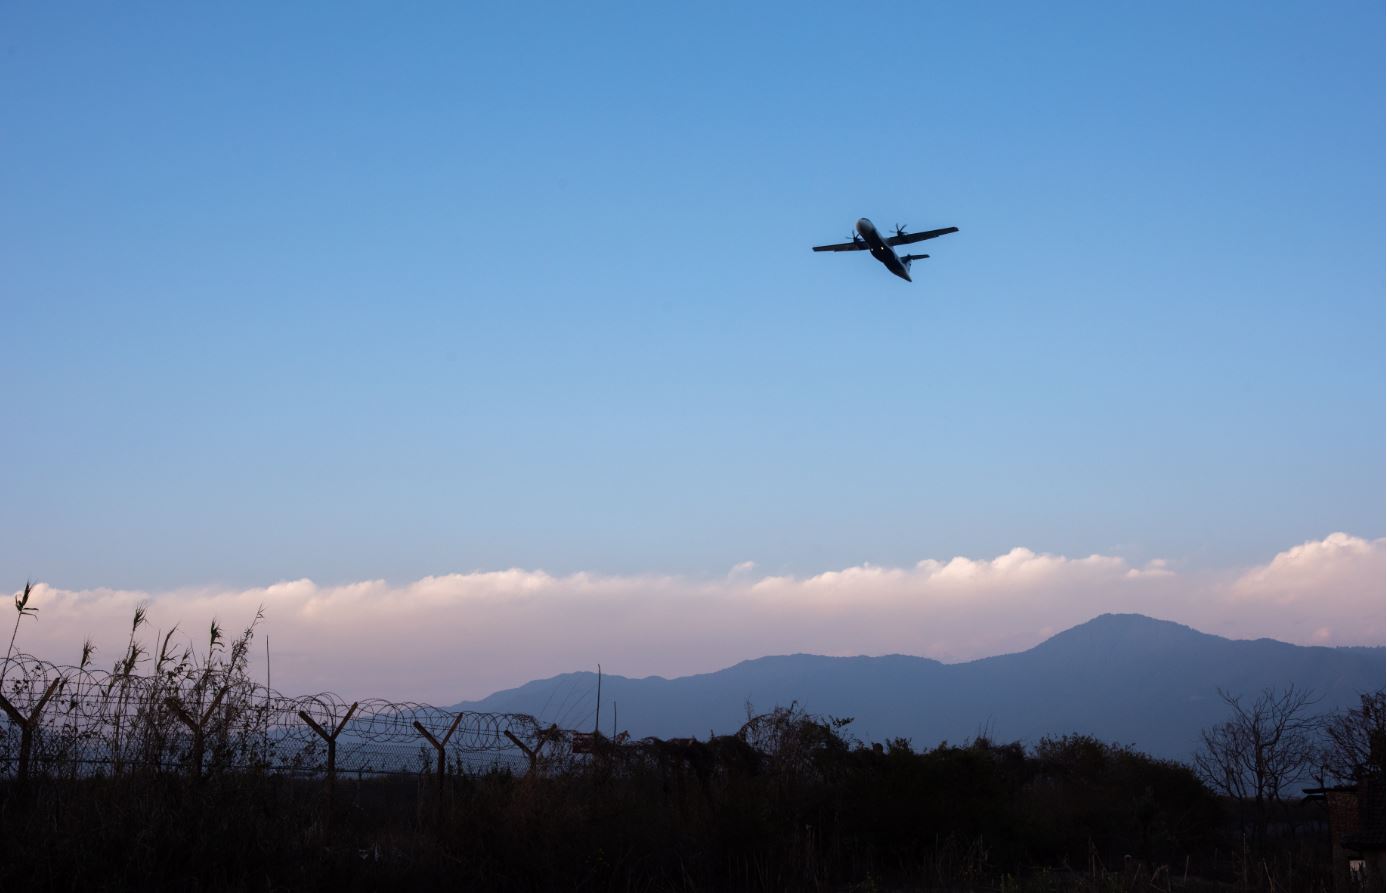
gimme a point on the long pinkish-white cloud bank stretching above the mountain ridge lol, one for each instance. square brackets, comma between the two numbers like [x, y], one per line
[464, 636]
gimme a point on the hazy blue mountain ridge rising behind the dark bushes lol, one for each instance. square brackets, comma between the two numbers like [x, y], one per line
[1120, 677]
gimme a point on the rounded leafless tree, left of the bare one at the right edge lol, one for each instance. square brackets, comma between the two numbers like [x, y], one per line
[1261, 751]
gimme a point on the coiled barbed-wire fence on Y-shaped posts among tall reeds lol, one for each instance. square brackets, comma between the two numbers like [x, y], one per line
[78, 720]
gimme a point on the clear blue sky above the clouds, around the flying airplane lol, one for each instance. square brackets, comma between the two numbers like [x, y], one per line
[349, 292]
